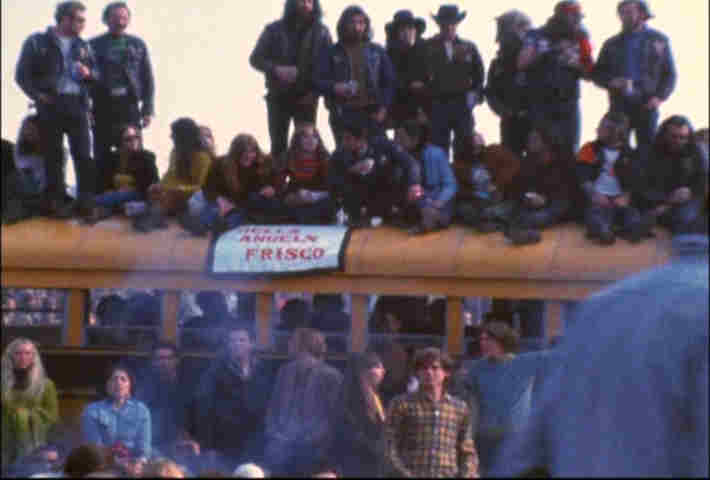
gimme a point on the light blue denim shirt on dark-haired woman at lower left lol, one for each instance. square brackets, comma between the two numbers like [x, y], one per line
[103, 425]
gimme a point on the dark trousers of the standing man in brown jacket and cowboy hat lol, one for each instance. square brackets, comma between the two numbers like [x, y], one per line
[447, 115]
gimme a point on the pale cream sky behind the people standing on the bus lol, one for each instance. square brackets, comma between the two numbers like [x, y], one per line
[200, 51]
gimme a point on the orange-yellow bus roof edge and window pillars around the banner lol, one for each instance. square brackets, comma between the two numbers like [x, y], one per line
[456, 263]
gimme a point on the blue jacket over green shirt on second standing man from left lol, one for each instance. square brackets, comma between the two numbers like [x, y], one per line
[136, 67]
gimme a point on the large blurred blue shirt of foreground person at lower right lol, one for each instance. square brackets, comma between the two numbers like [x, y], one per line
[629, 396]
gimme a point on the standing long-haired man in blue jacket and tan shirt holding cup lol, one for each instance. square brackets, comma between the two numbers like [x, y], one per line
[355, 75]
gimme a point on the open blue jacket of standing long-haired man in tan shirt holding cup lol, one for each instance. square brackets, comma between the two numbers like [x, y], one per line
[333, 66]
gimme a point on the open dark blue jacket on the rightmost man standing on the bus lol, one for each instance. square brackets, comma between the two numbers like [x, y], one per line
[658, 72]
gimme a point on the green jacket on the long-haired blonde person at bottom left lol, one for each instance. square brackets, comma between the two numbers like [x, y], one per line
[26, 421]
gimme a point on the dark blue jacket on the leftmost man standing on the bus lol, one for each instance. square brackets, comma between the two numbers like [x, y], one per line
[41, 64]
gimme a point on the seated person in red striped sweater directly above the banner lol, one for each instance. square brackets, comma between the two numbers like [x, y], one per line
[306, 192]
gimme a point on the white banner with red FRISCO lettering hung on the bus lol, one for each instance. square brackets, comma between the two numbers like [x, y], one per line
[278, 249]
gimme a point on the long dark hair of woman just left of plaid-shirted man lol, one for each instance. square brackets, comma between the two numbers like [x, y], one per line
[357, 398]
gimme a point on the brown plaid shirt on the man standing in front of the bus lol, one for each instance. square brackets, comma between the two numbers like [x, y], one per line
[430, 439]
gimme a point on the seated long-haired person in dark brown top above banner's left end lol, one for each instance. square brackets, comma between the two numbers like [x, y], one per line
[238, 186]
